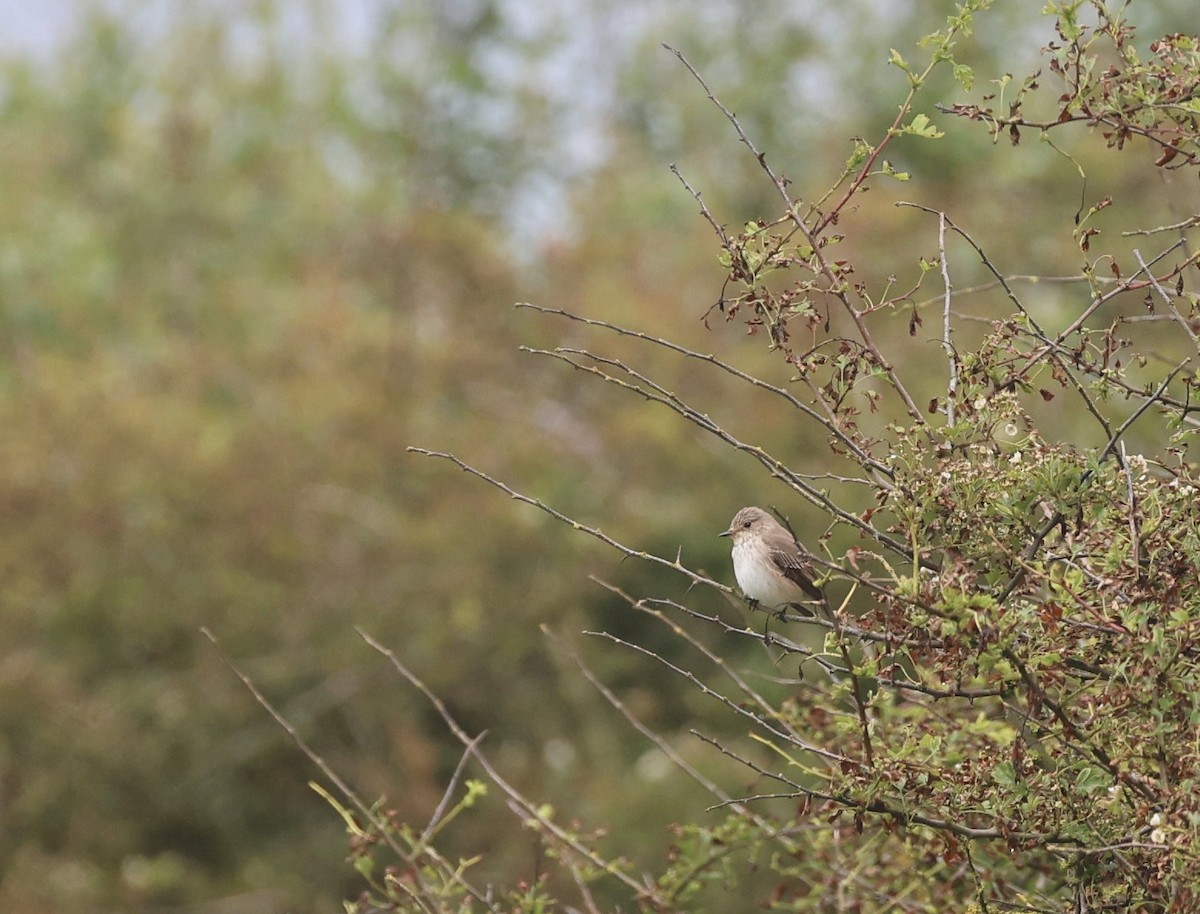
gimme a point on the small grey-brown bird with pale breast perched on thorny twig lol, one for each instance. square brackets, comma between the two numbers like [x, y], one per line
[770, 566]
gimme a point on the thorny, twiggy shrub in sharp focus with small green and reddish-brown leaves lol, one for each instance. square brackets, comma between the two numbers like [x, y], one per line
[1001, 711]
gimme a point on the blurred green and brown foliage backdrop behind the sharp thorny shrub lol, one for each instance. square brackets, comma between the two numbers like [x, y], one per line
[251, 251]
